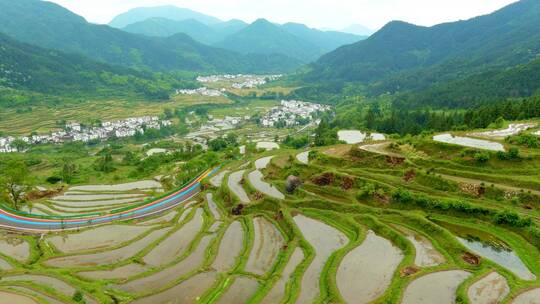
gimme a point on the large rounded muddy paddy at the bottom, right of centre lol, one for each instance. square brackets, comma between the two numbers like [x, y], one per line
[366, 272]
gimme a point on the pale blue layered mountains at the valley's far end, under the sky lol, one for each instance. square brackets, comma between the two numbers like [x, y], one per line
[261, 37]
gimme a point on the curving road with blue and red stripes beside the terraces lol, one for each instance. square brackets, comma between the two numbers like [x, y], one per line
[40, 224]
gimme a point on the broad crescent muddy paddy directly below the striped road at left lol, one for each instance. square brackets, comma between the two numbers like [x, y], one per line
[98, 238]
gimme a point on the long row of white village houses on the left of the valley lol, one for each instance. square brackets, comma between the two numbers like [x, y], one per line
[75, 131]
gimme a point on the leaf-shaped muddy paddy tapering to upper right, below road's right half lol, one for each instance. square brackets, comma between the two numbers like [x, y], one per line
[175, 244]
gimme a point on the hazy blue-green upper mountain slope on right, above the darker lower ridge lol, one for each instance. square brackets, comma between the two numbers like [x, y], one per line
[403, 56]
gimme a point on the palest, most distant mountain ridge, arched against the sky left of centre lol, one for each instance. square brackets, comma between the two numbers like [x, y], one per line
[168, 12]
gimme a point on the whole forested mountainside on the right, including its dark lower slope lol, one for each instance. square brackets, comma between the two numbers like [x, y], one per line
[460, 62]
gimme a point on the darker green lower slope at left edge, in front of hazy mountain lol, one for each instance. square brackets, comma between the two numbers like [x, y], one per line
[29, 68]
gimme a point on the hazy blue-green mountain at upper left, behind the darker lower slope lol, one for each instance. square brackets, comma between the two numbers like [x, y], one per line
[50, 26]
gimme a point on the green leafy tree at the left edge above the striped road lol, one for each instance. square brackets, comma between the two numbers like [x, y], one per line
[15, 181]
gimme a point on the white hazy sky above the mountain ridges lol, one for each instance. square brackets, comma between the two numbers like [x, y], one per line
[316, 13]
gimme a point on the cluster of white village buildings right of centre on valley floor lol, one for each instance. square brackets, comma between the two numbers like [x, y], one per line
[290, 112]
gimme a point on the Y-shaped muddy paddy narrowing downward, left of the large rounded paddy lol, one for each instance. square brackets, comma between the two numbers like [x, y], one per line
[325, 240]
